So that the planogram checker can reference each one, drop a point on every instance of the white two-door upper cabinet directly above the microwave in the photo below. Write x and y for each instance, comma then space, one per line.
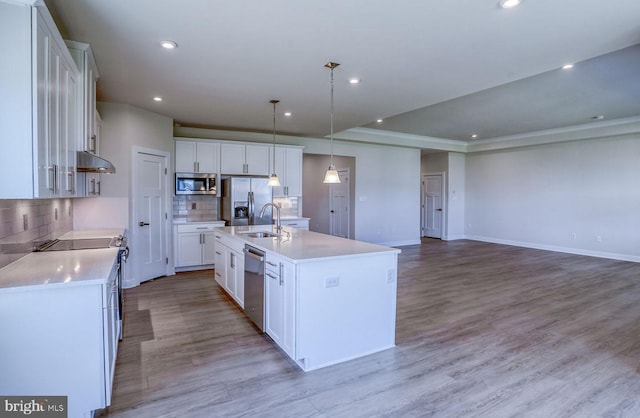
197, 156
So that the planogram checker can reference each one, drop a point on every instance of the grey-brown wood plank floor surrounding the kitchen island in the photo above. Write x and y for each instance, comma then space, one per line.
483, 330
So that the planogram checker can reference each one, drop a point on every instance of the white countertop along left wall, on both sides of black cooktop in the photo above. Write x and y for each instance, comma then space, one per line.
62, 268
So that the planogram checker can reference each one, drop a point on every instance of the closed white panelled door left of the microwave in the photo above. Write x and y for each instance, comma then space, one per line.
150, 247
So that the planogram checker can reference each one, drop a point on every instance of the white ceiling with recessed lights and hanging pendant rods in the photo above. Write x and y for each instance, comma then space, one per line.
444, 68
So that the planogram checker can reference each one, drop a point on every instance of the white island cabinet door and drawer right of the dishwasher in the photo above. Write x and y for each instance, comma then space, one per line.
279, 299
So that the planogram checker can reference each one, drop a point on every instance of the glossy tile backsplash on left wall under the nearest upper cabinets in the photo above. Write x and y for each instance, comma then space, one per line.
26, 223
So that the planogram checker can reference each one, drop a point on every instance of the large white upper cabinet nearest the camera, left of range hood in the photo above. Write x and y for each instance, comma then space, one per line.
38, 106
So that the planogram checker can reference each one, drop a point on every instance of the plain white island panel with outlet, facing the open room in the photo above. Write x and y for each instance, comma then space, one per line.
346, 308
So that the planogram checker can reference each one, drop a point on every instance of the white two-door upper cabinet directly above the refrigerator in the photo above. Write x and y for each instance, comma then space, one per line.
248, 159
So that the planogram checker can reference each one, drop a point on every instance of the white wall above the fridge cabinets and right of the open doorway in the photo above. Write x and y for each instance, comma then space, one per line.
387, 179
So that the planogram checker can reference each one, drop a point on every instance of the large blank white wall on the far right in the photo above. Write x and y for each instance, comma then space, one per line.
540, 196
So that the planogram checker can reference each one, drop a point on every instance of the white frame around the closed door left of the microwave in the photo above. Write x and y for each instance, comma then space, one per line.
133, 226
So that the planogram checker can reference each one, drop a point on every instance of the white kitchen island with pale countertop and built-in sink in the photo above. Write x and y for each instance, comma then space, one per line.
327, 299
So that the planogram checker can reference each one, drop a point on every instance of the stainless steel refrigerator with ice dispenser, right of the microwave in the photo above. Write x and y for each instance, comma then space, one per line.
242, 200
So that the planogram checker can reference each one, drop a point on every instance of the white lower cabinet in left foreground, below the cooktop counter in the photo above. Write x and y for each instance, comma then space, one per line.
61, 340
